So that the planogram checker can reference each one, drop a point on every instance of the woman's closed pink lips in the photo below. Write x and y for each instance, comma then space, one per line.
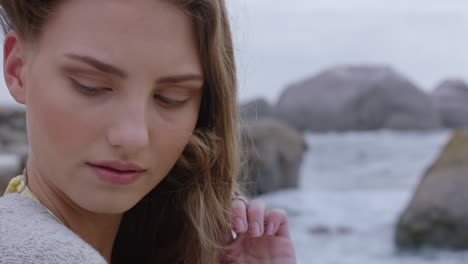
116, 177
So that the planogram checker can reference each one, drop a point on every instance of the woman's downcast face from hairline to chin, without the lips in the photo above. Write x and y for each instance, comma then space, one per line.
111, 80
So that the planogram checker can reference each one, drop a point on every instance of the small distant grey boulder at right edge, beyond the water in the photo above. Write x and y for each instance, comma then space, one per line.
451, 100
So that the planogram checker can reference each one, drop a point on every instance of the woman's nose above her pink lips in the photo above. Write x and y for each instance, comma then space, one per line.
129, 132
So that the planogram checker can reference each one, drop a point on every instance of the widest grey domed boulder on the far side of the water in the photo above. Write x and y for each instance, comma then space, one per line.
357, 98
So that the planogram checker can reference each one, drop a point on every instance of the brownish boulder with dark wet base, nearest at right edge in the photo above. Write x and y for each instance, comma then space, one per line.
437, 215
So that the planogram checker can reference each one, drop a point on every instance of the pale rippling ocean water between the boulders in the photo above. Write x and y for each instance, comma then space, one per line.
353, 188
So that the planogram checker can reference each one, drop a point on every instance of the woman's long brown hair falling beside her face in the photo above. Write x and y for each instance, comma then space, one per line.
184, 219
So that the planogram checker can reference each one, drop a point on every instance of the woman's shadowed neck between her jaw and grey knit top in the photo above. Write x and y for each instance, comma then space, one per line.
98, 230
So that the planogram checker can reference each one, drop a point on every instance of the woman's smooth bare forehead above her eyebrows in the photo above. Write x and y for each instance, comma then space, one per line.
137, 33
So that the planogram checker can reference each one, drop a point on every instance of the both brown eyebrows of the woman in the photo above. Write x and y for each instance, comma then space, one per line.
108, 68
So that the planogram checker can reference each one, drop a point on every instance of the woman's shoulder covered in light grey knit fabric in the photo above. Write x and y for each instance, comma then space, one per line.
29, 234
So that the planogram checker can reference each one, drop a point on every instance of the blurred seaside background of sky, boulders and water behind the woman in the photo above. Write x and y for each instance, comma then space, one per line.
347, 105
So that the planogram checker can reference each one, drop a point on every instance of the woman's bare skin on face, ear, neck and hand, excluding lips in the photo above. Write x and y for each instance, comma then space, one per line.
144, 112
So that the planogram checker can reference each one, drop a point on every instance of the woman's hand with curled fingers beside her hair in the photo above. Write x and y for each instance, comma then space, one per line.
262, 237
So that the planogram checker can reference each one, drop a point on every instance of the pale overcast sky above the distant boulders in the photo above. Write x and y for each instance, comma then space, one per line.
281, 42
